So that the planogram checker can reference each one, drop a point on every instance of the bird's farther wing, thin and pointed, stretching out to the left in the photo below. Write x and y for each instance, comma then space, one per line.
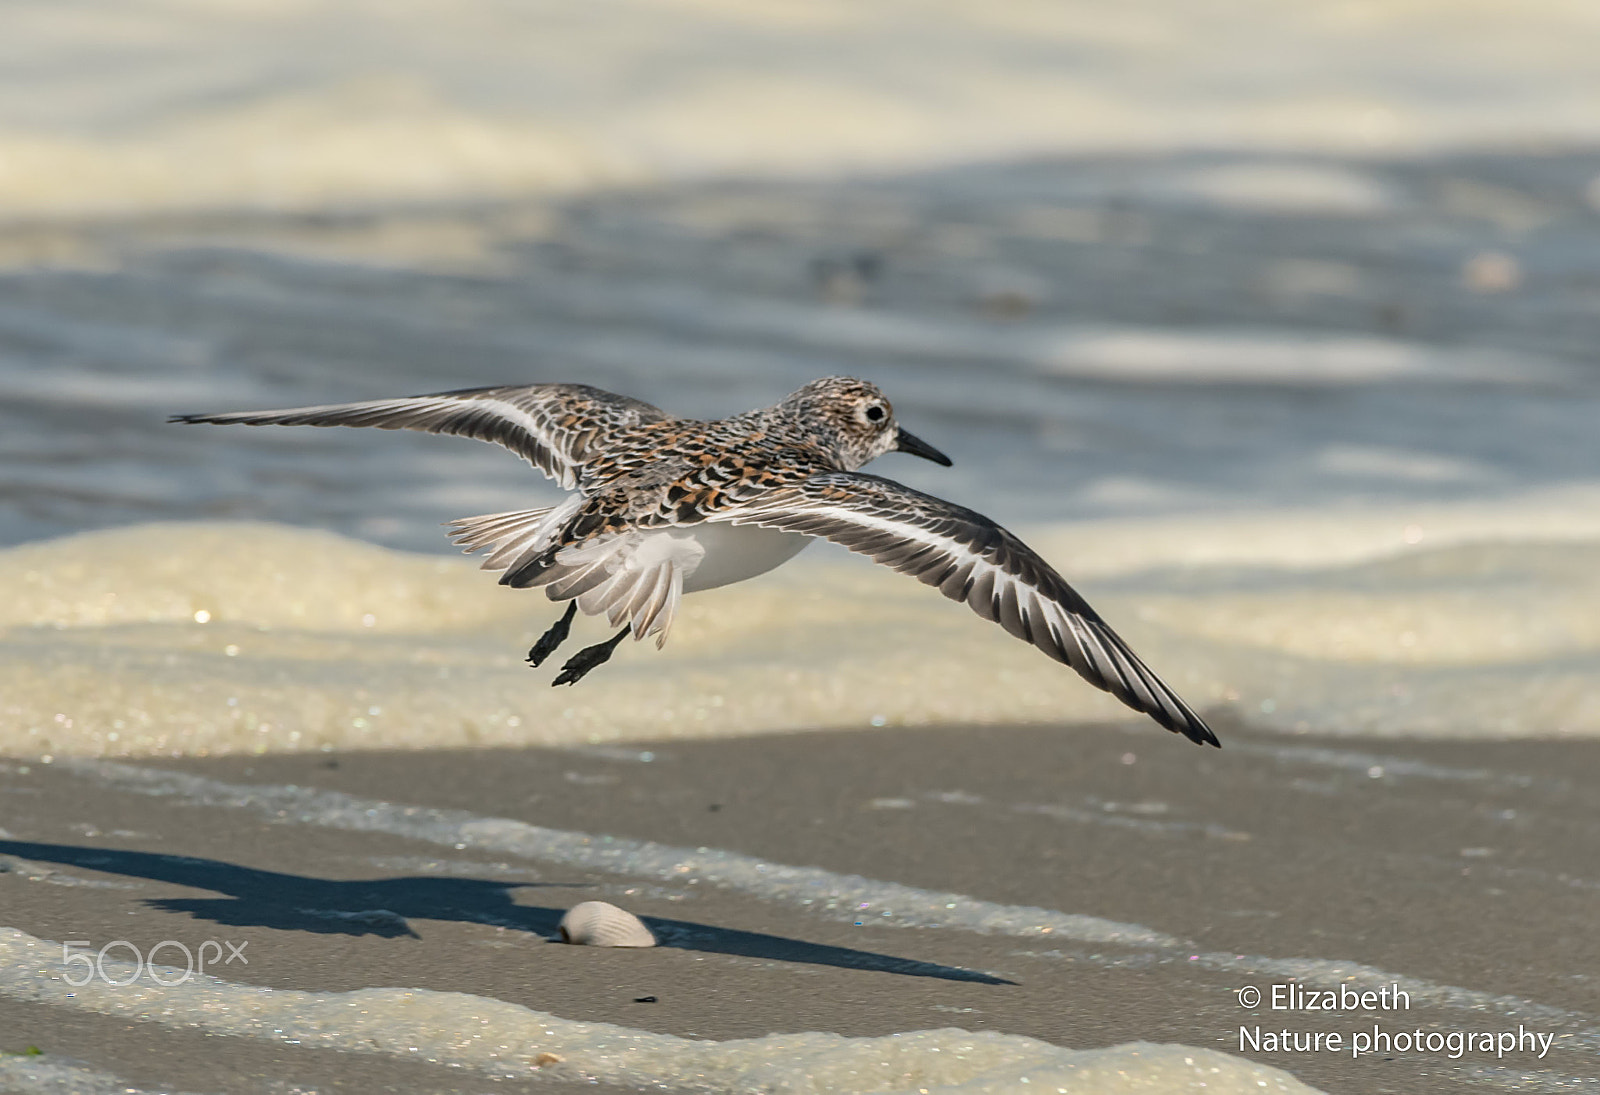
553, 427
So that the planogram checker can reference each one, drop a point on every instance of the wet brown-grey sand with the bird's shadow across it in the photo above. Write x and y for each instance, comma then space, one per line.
1466, 865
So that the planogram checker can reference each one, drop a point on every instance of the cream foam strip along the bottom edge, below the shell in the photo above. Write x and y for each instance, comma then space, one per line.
508, 1040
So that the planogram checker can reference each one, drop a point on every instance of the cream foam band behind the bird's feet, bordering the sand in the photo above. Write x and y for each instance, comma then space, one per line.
1466, 620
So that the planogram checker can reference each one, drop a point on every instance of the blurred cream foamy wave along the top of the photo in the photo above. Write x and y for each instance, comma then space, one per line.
116, 108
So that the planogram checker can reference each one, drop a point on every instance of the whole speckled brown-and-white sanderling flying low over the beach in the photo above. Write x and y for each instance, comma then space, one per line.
665, 507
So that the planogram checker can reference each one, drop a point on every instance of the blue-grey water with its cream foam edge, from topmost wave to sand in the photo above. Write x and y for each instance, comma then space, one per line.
1329, 467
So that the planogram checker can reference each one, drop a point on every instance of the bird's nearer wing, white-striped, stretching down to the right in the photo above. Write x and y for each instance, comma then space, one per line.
974, 560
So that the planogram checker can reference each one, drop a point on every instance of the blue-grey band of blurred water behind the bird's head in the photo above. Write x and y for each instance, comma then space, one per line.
1081, 342
